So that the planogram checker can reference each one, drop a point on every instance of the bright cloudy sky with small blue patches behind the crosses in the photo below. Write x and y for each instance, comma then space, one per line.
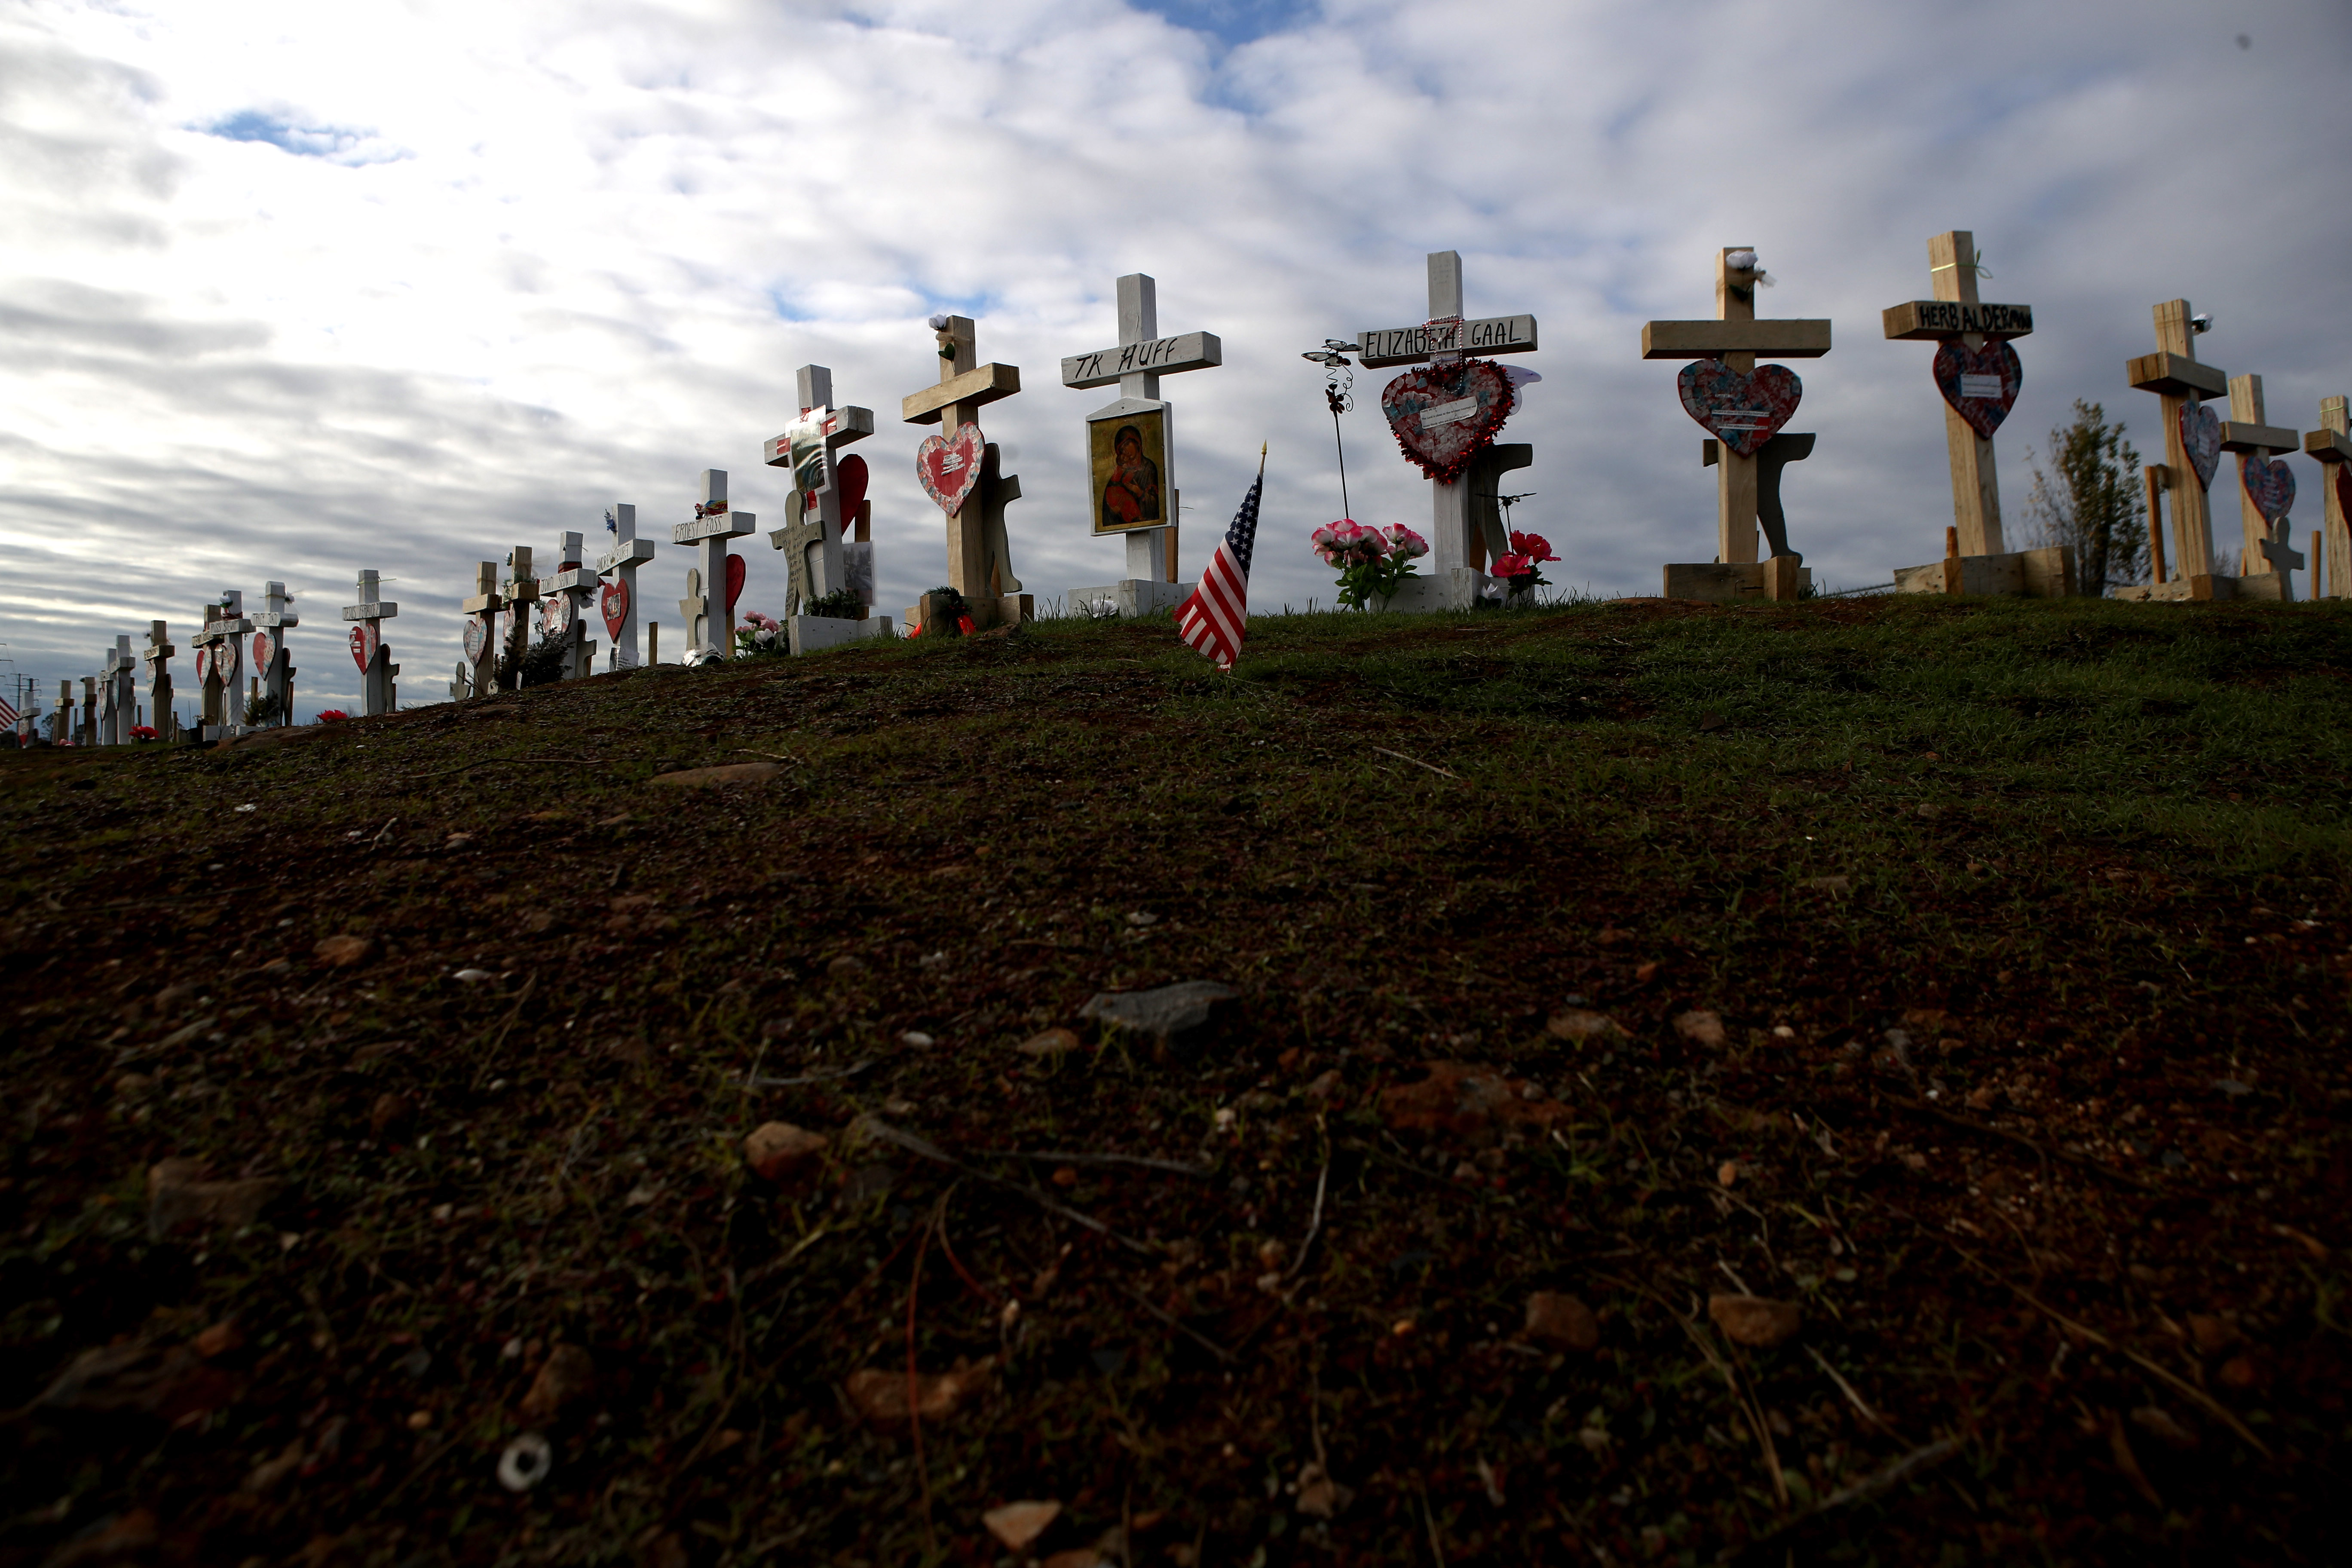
295, 290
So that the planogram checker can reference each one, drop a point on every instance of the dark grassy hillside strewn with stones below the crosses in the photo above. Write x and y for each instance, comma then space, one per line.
1965, 981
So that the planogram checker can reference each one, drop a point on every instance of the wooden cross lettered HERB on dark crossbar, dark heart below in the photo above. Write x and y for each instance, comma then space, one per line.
1977, 373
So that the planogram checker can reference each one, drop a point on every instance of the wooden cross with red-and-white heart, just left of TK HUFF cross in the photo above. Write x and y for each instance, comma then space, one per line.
951, 469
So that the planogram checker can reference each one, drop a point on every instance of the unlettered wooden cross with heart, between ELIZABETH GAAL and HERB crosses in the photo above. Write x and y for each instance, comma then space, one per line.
1728, 394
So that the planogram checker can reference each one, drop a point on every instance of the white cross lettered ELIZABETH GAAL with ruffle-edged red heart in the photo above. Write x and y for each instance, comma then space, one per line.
1448, 415
